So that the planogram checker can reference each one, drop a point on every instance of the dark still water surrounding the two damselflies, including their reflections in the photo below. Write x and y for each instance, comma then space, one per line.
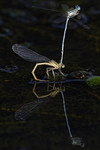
32, 115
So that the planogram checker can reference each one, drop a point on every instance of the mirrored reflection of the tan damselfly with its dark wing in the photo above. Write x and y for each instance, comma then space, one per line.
24, 112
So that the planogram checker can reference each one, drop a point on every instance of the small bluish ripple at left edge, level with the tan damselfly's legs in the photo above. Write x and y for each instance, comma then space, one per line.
9, 69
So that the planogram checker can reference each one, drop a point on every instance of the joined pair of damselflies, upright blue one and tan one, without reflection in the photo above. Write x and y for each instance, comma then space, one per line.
32, 56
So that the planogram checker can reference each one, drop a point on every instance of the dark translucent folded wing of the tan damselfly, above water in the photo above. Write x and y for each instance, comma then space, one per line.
28, 54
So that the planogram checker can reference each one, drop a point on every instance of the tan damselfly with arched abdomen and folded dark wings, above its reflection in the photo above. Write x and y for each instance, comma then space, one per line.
32, 56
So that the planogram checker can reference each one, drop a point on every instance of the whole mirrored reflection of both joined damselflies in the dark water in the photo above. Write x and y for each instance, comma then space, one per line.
26, 110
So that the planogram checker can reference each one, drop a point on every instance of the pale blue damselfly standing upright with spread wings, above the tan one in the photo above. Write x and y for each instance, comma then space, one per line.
66, 15
